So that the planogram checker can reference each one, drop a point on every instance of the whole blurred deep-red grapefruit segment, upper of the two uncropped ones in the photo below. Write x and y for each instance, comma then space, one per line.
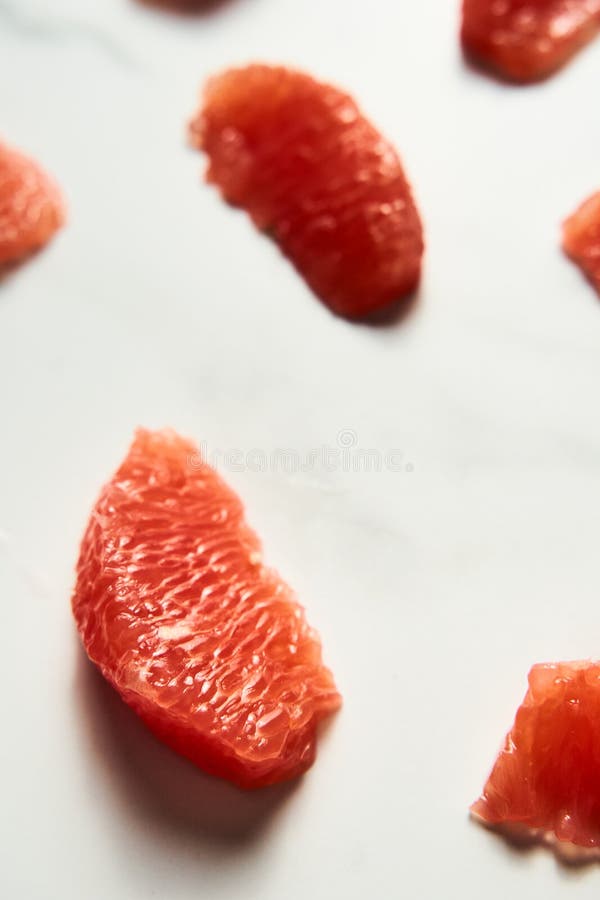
300, 157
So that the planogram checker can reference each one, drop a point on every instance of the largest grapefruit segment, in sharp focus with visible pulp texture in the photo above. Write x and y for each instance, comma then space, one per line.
174, 606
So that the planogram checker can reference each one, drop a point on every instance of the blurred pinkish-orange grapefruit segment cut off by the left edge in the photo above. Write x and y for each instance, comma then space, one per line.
31, 208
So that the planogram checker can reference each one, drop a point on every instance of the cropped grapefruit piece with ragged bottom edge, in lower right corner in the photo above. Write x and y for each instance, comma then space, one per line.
545, 784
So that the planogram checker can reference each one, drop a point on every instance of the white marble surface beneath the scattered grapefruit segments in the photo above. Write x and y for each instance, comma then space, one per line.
434, 590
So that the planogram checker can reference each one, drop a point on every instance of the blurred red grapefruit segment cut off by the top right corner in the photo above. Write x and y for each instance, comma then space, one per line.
527, 40
